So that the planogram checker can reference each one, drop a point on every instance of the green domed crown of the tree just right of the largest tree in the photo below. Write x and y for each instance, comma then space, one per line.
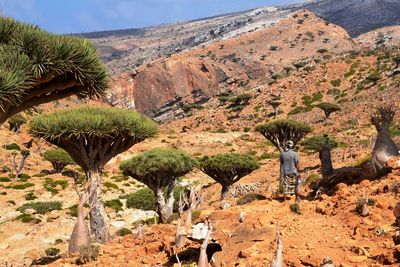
158, 168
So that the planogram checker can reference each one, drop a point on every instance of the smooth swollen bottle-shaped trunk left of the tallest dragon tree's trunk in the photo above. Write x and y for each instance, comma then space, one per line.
80, 235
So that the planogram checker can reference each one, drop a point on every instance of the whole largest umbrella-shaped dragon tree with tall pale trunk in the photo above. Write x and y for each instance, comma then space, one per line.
92, 136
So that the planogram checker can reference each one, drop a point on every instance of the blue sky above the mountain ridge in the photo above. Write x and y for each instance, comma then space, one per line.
76, 16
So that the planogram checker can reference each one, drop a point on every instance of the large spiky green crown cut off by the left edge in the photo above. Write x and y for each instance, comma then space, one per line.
38, 67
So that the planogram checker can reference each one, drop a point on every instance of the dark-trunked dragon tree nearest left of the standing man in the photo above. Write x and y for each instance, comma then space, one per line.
227, 169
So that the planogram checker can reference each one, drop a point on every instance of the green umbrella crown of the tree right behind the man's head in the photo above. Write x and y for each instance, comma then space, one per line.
279, 132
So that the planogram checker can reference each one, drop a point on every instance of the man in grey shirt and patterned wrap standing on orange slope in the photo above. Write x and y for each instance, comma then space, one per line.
290, 180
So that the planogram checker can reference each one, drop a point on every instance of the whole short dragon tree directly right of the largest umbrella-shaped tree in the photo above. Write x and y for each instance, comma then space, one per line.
159, 169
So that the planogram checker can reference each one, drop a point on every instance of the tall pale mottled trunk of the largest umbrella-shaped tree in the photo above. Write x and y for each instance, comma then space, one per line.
97, 215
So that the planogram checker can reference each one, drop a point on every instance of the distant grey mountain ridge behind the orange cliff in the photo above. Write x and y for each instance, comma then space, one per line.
125, 49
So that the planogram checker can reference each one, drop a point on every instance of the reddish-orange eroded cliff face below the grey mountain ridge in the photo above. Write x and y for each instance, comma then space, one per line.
162, 87
